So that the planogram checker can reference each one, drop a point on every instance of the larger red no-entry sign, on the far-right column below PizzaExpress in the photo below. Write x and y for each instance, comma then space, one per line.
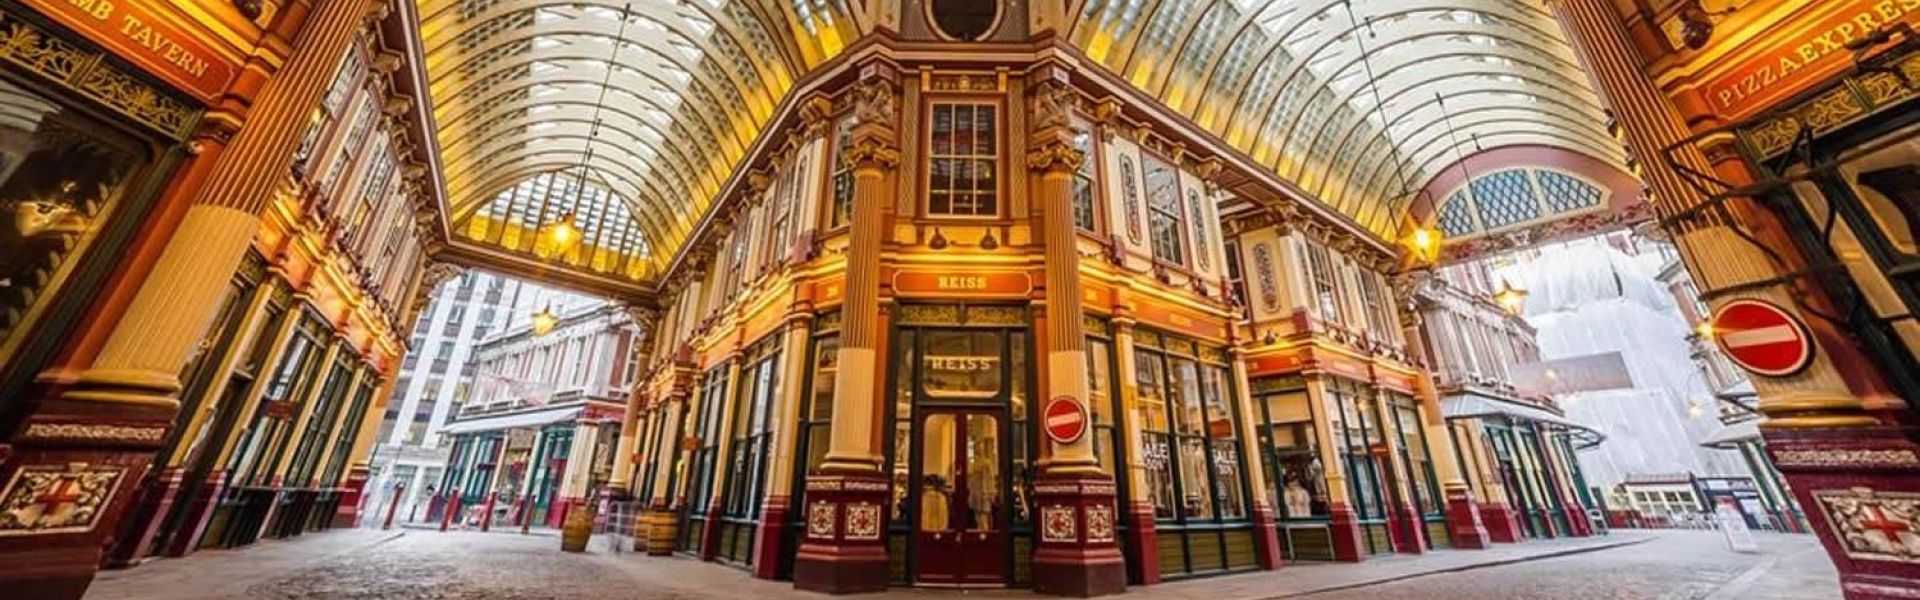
1762, 337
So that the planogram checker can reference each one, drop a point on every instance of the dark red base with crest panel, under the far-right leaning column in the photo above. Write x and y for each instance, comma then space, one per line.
1861, 491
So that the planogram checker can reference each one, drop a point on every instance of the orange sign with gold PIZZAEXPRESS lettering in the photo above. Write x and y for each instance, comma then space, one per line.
1812, 53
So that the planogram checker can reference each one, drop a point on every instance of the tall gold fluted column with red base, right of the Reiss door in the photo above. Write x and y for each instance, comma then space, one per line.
1078, 551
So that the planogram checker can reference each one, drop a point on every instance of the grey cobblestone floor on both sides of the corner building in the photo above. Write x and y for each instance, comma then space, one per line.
456, 566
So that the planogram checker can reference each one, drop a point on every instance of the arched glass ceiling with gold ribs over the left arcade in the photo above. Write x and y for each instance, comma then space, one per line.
656, 99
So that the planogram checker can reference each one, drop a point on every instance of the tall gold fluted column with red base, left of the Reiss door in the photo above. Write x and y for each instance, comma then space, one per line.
844, 549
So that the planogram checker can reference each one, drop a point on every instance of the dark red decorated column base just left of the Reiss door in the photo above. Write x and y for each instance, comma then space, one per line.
846, 549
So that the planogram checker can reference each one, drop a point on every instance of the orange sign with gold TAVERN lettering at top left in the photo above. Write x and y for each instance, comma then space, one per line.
137, 32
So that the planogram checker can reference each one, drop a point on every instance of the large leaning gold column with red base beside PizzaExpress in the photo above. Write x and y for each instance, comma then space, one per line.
1854, 476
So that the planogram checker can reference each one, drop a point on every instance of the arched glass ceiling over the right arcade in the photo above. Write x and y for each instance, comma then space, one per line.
1355, 101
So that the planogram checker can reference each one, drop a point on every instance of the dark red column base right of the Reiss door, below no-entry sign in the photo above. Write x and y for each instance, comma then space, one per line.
1078, 545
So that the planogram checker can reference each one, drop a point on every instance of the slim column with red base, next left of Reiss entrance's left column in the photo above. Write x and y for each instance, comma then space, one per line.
775, 512
